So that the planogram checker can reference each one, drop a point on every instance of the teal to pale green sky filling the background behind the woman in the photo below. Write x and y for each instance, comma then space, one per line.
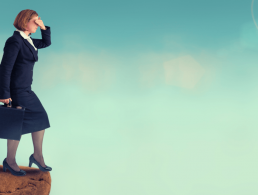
146, 97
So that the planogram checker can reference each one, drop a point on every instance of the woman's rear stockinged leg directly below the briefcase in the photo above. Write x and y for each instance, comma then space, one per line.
12, 146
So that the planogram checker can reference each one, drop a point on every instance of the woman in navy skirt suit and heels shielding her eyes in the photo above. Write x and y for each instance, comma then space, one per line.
16, 76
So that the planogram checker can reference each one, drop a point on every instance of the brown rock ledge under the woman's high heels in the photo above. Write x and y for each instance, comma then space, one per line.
35, 182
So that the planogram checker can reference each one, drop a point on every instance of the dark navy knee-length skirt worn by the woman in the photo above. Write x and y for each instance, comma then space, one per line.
35, 116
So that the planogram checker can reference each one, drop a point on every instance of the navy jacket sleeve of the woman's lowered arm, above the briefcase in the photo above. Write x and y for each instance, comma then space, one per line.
11, 50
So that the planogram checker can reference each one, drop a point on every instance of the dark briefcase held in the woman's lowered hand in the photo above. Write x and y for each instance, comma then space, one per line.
11, 119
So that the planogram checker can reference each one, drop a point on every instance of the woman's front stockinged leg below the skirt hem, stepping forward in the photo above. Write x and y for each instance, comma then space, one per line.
37, 138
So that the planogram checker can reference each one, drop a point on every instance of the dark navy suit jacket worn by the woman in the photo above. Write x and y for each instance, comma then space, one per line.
16, 69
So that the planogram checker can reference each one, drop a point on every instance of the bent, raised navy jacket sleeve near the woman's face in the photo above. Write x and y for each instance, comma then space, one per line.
45, 41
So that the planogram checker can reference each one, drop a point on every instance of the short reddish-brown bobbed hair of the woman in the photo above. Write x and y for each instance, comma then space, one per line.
23, 18
